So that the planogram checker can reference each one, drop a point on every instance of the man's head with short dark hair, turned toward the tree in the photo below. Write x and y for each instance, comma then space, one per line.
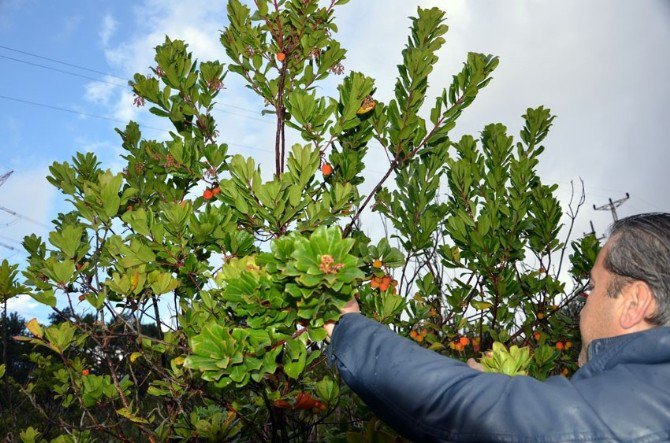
630, 281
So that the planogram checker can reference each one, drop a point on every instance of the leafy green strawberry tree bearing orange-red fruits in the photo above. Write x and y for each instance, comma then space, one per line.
253, 268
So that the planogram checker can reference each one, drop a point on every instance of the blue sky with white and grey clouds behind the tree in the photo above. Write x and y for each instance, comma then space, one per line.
601, 66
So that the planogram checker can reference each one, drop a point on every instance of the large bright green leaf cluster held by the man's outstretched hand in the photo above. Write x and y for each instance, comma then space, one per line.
302, 281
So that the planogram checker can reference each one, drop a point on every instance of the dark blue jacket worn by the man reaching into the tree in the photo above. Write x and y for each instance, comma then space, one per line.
621, 394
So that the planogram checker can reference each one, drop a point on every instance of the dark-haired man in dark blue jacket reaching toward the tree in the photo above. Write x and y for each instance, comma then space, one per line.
620, 393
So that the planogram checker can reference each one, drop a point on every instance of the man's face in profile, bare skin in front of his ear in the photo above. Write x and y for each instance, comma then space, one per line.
598, 317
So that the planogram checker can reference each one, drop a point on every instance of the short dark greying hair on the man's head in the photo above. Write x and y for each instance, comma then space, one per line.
639, 249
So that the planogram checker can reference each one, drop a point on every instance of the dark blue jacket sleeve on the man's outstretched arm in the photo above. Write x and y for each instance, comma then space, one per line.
428, 397
